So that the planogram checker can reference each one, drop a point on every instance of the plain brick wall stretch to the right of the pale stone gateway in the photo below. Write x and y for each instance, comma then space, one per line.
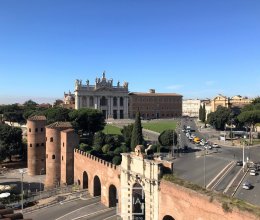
182, 203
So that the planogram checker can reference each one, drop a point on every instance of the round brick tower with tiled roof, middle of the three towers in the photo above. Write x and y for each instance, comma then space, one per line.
53, 153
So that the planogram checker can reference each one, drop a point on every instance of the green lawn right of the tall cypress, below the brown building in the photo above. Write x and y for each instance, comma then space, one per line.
159, 126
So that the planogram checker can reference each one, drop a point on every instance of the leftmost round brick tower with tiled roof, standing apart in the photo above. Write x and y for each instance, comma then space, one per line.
36, 145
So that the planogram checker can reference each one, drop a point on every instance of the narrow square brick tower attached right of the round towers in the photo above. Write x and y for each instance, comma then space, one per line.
69, 140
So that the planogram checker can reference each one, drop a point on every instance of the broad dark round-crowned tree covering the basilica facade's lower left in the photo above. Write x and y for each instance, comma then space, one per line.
87, 120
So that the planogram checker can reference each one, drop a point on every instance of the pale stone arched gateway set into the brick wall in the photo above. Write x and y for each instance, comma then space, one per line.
140, 185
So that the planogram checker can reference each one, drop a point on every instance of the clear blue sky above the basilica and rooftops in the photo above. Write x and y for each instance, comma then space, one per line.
197, 48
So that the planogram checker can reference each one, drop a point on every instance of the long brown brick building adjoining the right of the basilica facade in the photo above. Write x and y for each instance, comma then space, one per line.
153, 105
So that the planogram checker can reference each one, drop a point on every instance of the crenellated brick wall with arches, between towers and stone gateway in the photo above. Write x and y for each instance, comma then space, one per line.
108, 174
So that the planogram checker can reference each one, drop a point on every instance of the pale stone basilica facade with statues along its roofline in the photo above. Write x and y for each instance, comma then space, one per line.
104, 96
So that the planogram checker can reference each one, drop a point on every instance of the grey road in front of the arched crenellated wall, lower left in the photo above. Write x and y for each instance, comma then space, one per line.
73, 210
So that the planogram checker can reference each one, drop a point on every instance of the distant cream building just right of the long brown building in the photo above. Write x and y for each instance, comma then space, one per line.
190, 107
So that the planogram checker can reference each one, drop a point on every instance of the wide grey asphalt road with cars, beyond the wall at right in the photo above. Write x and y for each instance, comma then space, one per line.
190, 166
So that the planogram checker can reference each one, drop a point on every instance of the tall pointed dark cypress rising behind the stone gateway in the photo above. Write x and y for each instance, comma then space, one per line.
137, 135
